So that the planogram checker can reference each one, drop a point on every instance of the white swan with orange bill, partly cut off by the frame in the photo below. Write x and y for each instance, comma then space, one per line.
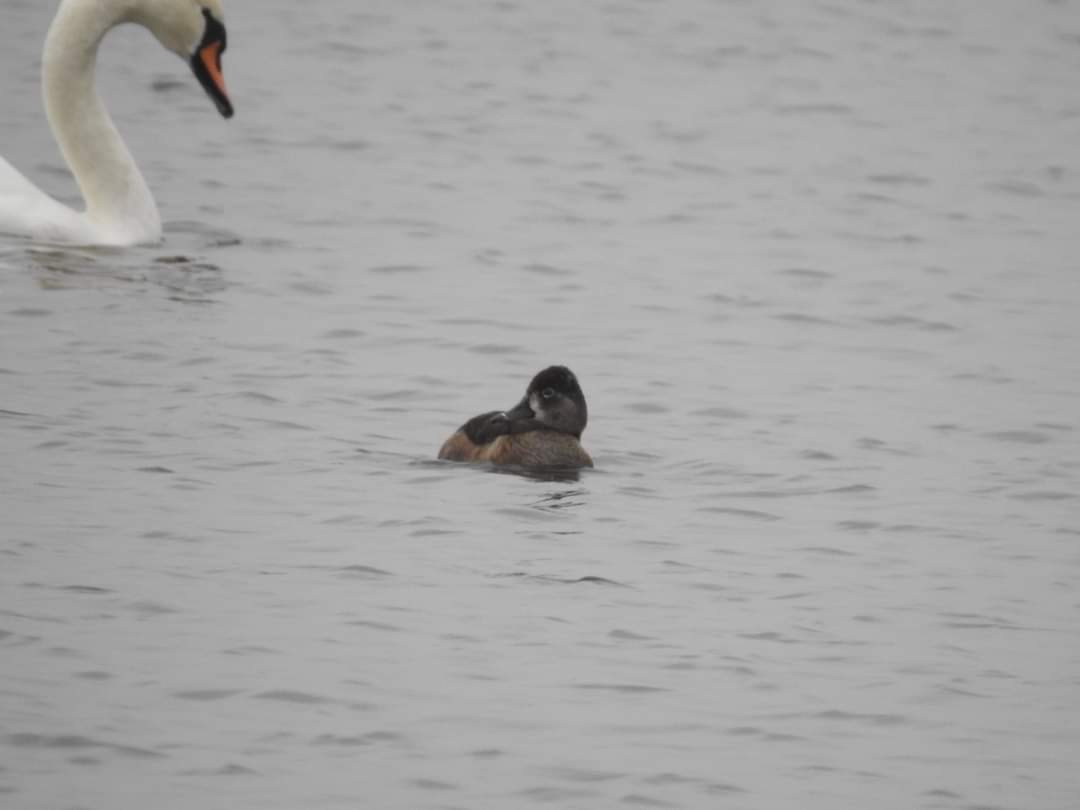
120, 209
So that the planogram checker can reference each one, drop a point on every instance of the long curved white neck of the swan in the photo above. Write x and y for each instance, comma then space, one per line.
118, 199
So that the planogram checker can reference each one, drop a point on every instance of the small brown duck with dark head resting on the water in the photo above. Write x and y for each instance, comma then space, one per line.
544, 430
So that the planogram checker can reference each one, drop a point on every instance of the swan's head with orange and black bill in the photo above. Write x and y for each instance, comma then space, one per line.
195, 30
